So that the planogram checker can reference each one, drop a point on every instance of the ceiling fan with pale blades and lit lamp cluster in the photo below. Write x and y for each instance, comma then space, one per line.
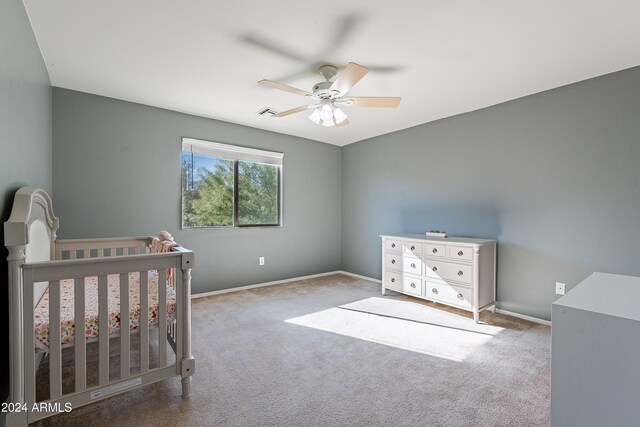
329, 96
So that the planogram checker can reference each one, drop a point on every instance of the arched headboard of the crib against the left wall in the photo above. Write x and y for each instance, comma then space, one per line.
30, 232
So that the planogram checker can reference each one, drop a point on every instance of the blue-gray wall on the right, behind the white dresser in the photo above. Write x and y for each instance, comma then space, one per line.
555, 177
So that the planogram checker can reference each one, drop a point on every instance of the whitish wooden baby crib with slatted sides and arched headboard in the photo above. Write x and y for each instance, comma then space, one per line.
40, 266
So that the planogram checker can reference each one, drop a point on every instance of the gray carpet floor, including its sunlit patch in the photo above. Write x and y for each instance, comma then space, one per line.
332, 351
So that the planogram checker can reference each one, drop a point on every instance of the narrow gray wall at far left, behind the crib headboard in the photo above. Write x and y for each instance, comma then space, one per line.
25, 134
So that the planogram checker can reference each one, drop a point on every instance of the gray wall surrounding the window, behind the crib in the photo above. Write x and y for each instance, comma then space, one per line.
117, 173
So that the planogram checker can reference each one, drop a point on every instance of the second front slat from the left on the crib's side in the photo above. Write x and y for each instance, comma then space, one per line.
55, 359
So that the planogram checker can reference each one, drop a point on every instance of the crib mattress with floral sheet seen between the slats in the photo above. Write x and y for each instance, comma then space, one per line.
67, 327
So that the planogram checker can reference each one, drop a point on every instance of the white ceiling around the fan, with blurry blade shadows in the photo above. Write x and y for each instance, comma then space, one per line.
443, 58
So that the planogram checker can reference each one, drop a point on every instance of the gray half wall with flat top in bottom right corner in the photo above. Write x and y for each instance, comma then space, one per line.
595, 344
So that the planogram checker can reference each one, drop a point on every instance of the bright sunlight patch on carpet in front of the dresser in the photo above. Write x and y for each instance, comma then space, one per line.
403, 324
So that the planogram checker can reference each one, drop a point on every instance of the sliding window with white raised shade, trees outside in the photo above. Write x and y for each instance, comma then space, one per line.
229, 186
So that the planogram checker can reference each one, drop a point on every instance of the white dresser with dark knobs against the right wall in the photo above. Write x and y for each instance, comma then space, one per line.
456, 271
